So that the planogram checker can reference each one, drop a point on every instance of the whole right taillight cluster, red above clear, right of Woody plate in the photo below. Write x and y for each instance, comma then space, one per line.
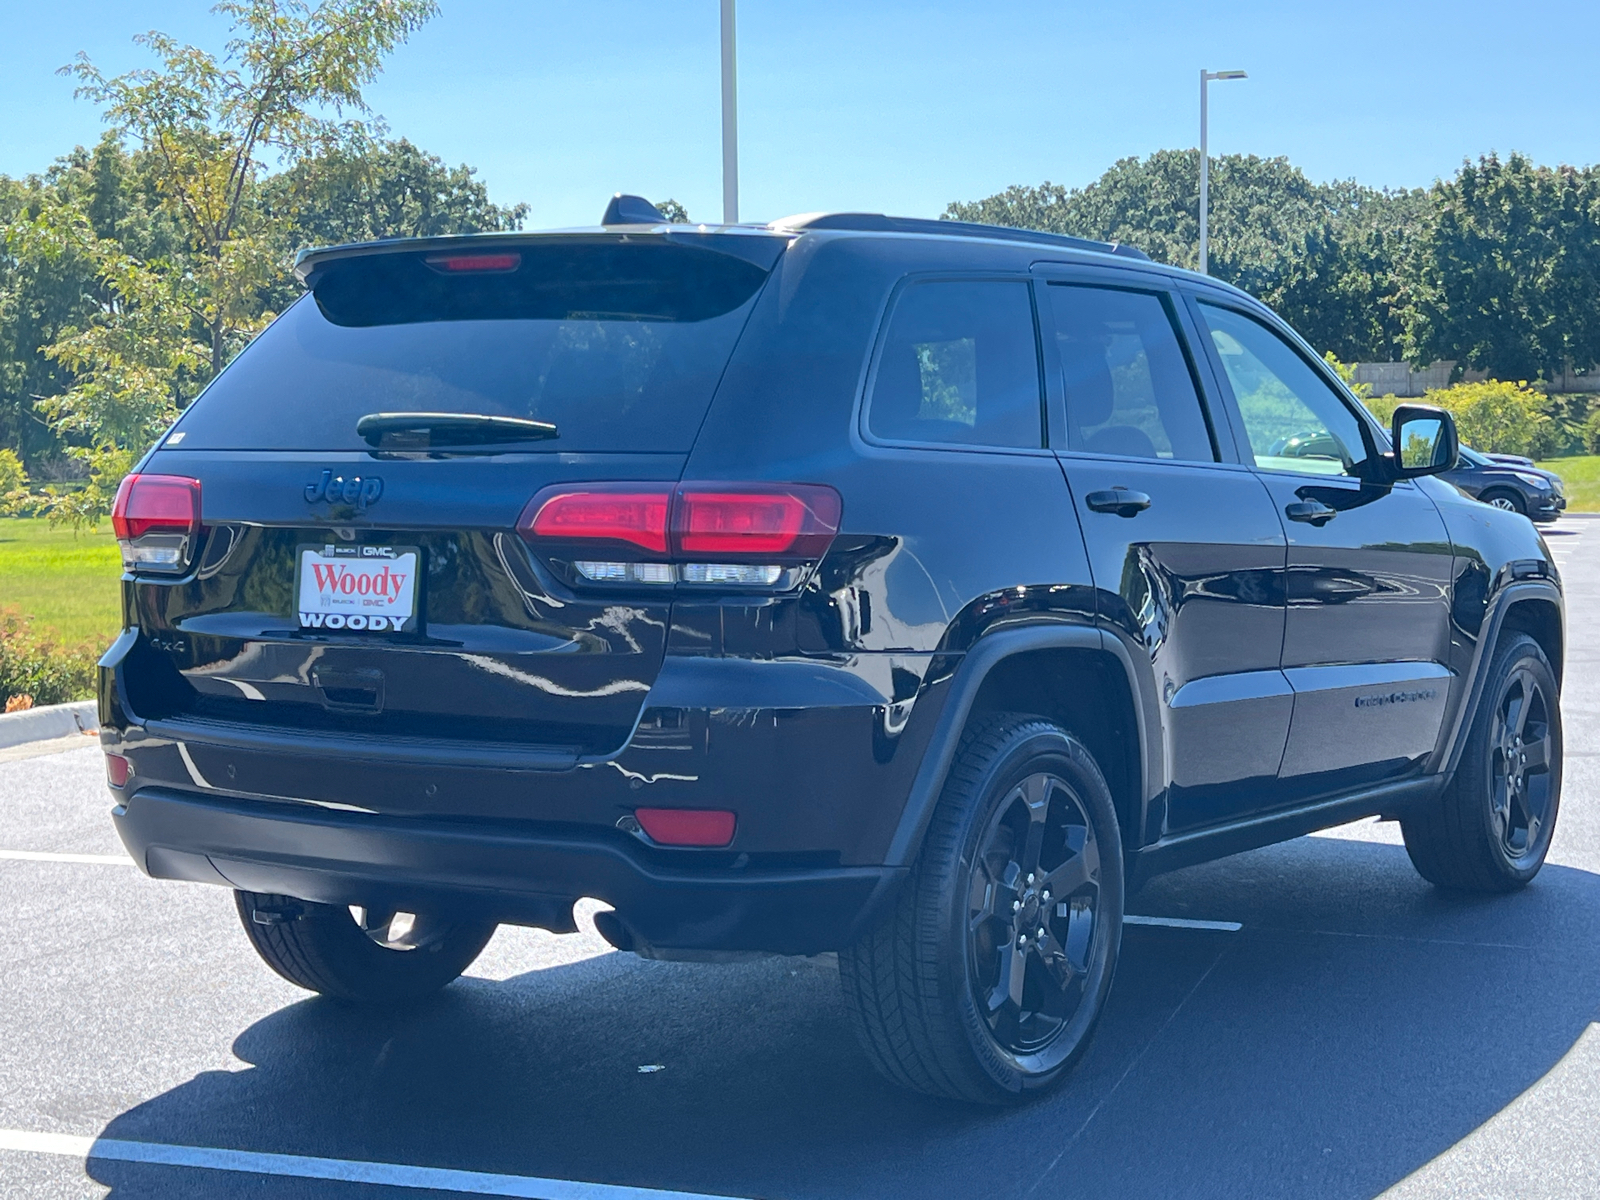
730, 535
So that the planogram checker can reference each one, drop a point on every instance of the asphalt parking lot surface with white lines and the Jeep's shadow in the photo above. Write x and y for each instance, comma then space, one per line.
1356, 1034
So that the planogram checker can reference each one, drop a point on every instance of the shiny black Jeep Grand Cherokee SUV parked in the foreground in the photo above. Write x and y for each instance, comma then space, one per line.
897, 588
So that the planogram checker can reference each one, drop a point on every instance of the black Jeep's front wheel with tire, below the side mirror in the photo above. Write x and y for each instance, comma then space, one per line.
1492, 828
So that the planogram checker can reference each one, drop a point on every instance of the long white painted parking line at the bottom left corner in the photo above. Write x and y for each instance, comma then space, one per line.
340, 1170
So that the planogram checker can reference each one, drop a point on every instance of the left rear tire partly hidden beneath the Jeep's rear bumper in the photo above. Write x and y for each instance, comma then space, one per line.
324, 950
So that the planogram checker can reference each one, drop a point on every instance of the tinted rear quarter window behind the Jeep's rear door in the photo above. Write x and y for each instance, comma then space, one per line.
961, 366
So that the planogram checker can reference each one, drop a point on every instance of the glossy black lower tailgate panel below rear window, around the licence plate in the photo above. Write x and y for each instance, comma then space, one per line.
489, 655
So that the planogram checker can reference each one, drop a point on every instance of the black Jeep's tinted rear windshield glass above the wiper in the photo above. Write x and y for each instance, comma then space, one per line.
618, 346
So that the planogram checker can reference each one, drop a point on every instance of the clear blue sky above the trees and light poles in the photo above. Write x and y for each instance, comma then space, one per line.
895, 106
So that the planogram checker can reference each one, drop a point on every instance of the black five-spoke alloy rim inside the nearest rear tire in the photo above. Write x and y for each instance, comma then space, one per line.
1033, 918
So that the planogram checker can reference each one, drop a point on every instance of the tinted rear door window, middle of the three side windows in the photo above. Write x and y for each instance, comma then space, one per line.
1127, 382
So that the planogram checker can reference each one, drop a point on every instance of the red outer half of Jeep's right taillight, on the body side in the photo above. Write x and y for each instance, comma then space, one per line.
790, 521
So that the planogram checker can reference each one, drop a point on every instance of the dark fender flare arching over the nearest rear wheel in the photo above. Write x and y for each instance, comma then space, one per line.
980, 660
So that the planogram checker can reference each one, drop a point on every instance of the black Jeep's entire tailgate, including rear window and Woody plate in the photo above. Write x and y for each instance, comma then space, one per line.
382, 588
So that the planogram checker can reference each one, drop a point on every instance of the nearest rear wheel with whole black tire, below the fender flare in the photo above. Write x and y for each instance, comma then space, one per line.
932, 990
